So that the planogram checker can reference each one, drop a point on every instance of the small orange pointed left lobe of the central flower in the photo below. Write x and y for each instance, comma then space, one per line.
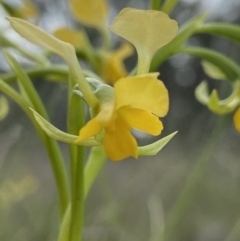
90, 129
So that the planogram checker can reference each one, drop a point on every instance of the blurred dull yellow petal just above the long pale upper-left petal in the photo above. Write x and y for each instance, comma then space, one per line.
70, 36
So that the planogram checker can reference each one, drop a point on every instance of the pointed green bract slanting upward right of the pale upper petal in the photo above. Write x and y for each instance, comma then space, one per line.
184, 33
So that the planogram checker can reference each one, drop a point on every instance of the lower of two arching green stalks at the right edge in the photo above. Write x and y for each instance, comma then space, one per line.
225, 64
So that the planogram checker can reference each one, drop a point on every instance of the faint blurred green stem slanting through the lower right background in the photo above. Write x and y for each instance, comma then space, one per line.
192, 184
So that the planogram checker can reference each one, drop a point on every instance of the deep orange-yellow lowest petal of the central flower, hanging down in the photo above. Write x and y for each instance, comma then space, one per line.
119, 142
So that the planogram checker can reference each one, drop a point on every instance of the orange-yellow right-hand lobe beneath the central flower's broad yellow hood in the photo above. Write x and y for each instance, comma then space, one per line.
141, 120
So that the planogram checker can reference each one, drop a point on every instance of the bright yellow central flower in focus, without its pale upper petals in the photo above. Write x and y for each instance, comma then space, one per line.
138, 102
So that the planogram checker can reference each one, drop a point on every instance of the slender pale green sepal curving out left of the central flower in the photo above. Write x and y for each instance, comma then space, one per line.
59, 135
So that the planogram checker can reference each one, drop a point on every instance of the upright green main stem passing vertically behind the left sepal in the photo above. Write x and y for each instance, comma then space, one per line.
76, 120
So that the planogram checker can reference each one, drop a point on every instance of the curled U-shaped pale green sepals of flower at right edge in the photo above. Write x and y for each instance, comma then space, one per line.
212, 101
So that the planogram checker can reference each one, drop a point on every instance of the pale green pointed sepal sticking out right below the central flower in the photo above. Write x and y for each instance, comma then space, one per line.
154, 148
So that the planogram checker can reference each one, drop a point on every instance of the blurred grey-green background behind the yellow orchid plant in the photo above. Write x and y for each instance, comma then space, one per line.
133, 199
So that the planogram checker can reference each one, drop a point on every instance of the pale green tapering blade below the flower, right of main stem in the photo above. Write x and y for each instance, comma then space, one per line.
96, 160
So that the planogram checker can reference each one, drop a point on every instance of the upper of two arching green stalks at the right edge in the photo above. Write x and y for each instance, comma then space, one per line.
229, 31
